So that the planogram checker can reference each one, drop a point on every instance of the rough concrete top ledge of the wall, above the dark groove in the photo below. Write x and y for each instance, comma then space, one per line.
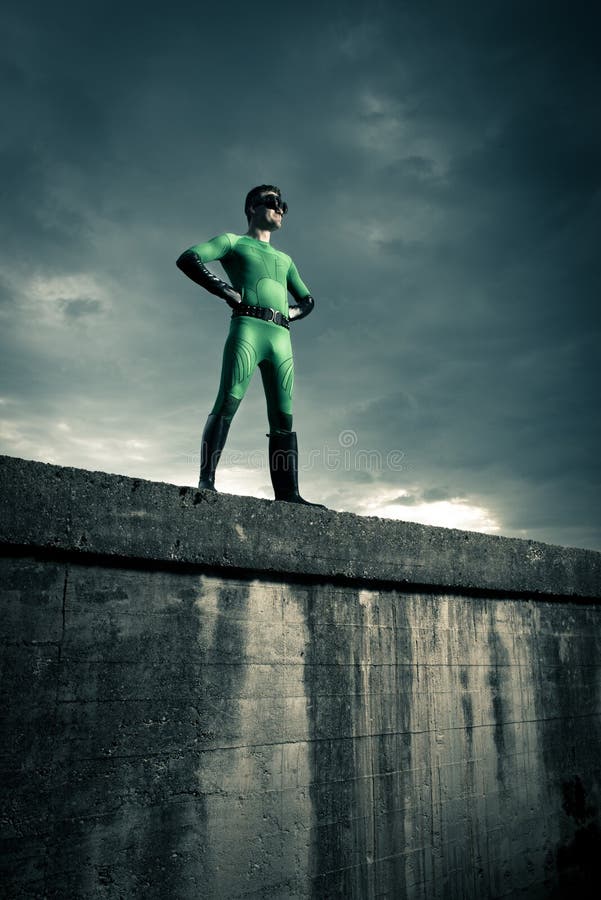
78, 511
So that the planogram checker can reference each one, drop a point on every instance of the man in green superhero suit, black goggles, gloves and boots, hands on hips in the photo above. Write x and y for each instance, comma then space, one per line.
261, 278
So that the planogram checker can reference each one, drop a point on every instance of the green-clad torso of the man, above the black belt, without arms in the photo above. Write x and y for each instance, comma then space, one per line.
258, 272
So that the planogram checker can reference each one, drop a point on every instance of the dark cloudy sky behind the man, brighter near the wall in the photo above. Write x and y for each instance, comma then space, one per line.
441, 161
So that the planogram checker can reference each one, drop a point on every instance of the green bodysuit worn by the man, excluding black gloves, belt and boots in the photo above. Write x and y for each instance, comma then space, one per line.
262, 276
